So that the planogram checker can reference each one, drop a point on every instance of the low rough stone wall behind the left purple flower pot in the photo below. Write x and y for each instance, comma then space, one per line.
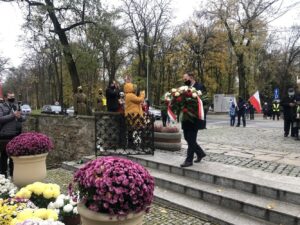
73, 137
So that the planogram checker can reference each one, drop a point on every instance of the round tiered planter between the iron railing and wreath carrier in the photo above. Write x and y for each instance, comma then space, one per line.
167, 141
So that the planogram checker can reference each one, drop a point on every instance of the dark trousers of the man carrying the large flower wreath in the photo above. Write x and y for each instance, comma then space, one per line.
191, 137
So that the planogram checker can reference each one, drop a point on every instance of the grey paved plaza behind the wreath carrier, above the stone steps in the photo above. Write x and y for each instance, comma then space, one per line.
260, 145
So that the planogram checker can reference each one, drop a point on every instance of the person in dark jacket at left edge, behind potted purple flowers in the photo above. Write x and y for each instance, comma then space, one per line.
11, 126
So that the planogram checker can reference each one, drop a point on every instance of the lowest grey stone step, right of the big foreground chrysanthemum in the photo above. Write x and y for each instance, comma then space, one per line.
211, 212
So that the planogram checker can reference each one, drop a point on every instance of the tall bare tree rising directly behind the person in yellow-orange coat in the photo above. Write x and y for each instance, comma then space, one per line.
148, 21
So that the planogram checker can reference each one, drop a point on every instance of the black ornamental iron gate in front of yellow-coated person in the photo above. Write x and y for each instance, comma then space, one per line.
116, 134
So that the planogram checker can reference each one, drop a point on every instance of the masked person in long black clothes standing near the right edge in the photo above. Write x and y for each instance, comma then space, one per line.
289, 113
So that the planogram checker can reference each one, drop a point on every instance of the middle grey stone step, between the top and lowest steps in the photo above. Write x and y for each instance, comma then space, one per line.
257, 206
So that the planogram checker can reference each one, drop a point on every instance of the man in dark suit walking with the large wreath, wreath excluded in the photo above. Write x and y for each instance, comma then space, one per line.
190, 129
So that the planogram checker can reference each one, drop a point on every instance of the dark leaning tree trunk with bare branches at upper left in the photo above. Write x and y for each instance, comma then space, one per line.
62, 17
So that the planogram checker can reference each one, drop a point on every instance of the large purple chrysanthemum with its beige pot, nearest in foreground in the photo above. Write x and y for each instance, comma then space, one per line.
113, 190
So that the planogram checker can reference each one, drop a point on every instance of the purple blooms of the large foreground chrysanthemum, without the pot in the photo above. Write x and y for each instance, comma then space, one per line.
115, 185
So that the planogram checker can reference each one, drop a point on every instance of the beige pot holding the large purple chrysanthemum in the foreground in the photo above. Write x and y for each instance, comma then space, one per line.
89, 217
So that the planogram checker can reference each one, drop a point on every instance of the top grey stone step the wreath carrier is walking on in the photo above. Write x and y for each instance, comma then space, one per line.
275, 186
